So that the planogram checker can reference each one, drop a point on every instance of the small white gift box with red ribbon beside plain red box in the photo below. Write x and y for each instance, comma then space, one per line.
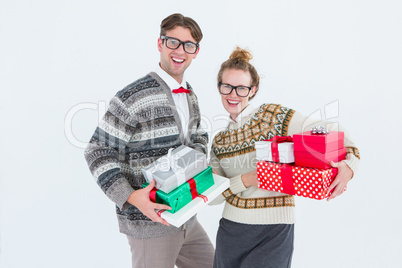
277, 149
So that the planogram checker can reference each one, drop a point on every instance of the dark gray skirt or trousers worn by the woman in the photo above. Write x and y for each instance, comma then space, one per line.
249, 245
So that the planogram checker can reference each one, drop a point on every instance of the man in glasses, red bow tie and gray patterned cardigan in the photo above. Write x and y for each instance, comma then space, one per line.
143, 121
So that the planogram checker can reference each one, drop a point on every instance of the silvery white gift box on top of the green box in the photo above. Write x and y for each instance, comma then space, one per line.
175, 168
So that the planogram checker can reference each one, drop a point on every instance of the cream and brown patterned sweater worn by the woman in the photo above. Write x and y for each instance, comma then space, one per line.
233, 154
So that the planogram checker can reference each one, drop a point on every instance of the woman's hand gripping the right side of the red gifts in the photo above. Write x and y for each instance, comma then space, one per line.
344, 175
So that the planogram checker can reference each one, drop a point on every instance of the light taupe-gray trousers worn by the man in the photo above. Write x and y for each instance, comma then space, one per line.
186, 249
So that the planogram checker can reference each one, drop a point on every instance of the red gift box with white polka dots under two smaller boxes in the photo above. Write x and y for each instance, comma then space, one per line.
295, 180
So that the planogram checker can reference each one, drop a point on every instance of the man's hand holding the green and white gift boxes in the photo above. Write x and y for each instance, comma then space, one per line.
140, 199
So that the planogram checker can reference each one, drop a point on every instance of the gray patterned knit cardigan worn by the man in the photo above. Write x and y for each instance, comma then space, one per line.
141, 124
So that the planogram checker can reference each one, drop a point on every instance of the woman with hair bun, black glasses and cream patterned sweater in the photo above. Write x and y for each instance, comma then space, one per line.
257, 226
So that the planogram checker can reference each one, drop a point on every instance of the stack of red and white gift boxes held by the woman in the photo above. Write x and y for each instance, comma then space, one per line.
300, 165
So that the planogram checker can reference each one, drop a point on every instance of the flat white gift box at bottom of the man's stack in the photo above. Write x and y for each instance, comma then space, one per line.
192, 208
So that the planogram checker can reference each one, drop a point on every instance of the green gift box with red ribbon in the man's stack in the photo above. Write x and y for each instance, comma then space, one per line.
186, 192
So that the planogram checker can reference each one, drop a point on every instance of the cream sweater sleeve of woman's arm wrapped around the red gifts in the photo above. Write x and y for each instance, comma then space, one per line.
300, 123
